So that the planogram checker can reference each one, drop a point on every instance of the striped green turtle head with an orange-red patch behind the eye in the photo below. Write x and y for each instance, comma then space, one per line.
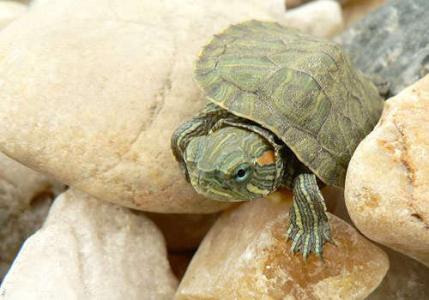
232, 164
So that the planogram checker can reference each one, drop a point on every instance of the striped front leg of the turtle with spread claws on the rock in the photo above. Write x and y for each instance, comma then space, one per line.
309, 228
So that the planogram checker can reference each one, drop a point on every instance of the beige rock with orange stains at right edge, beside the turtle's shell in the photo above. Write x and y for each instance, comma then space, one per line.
387, 184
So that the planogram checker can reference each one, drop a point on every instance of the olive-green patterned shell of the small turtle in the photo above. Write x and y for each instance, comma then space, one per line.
301, 88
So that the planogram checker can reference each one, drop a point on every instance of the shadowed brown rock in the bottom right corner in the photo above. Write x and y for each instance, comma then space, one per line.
406, 279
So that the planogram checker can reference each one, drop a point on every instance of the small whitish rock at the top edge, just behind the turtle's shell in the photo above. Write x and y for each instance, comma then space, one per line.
321, 18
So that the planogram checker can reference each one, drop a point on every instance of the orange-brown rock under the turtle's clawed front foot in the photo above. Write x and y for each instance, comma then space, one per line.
245, 256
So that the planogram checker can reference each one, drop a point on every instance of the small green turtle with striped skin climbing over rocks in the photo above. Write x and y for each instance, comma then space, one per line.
284, 110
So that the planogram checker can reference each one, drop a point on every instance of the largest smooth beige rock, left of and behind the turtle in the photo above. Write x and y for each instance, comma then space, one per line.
93, 89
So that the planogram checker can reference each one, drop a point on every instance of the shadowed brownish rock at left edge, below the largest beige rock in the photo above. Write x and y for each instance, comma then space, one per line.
25, 198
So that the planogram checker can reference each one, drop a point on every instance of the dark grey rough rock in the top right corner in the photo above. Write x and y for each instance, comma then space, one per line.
392, 40
